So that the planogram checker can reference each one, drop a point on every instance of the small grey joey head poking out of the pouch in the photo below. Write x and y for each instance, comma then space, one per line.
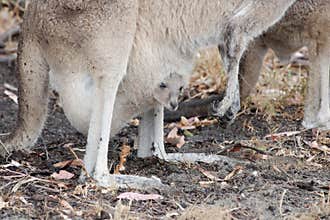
167, 92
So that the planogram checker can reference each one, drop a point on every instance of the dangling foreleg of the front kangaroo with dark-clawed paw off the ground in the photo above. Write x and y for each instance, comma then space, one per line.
243, 27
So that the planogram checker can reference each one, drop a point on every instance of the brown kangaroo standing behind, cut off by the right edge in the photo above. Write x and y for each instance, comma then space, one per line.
306, 23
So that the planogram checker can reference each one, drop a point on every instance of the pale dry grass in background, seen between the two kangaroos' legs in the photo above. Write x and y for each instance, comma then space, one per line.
278, 85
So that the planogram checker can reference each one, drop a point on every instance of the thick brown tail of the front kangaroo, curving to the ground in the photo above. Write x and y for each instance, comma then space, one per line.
33, 96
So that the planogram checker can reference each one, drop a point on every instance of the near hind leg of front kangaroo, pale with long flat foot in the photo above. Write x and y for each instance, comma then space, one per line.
107, 70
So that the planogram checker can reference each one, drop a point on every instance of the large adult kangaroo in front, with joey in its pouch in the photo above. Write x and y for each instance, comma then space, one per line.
97, 53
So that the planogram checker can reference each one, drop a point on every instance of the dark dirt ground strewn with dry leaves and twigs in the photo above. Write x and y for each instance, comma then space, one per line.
284, 176
